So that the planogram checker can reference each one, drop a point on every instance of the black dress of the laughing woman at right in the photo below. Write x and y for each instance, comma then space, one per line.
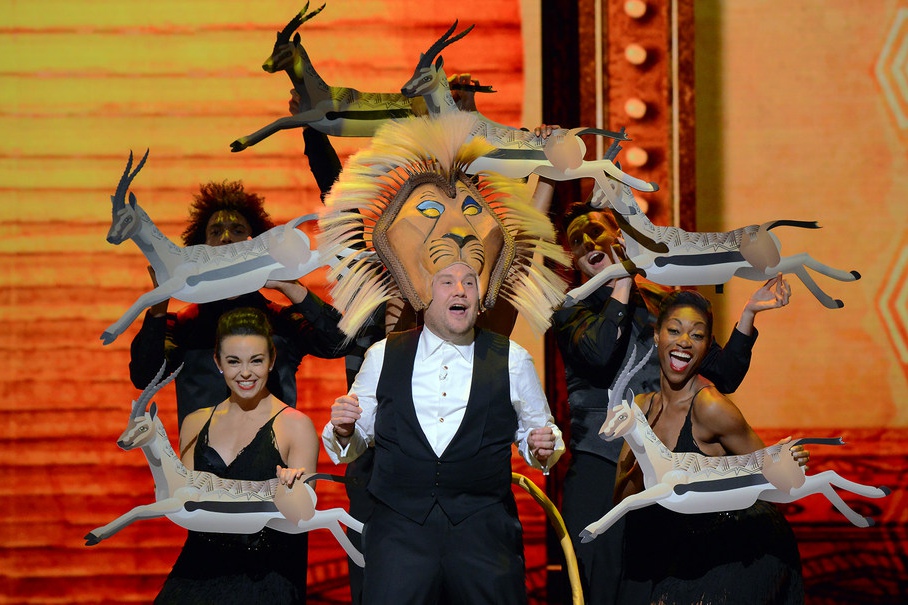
743, 557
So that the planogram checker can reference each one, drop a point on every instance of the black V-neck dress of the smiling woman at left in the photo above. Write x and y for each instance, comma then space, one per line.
265, 567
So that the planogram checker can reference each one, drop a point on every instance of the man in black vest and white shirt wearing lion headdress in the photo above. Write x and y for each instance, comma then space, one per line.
442, 404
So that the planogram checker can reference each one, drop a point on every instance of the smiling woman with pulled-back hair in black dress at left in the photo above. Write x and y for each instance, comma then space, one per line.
251, 435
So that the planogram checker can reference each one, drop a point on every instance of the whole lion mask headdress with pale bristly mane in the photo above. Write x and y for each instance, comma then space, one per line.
408, 209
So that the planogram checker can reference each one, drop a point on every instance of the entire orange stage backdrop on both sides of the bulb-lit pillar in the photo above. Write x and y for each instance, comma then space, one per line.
801, 114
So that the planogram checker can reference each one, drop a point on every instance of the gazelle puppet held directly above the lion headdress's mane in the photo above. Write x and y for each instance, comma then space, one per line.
518, 152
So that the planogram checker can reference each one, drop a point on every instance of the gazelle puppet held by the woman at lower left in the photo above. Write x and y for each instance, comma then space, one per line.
202, 501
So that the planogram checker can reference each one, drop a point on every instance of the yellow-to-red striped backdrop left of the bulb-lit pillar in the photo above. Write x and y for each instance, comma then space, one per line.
82, 83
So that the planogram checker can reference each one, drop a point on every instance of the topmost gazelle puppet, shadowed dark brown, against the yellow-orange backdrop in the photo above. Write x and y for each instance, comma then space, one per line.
333, 110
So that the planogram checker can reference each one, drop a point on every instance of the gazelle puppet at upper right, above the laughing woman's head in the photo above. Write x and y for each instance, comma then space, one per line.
673, 257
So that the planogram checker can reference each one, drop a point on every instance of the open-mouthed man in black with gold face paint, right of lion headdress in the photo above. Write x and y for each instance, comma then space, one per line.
594, 338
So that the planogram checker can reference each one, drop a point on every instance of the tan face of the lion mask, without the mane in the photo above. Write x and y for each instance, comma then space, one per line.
433, 223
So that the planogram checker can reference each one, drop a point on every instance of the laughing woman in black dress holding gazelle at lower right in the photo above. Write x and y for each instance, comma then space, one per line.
739, 557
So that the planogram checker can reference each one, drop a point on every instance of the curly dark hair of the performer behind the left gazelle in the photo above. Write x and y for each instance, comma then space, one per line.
226, 195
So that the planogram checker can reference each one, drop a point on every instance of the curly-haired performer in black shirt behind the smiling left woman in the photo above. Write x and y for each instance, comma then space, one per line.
224, 213
